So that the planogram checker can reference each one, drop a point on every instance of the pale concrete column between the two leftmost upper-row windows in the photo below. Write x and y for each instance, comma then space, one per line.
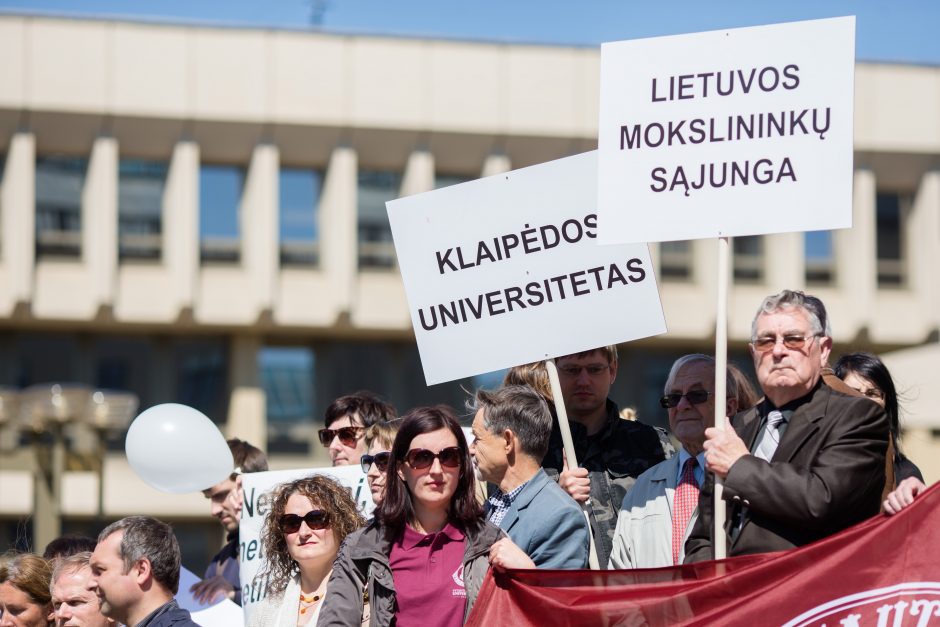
100, 219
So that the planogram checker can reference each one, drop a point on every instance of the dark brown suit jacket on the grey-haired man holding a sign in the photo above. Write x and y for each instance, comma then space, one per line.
826, 475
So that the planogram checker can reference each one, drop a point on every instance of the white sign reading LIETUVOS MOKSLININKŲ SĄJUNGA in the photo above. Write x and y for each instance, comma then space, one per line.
724, 133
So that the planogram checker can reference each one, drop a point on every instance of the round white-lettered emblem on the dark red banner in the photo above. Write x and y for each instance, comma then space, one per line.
902, 605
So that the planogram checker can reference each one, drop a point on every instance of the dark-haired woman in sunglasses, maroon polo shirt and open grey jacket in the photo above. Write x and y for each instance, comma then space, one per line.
423, 559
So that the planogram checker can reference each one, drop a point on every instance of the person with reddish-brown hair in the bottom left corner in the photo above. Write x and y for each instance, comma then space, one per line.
25, 600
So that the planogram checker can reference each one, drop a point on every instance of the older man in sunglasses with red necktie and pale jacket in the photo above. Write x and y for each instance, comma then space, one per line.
659, 510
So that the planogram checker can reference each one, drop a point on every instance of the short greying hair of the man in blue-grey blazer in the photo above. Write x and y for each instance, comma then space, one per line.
523, 411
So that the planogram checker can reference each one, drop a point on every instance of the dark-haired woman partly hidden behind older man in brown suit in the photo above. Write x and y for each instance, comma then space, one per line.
867, 374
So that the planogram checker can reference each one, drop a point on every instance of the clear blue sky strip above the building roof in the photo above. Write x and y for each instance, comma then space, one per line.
888, 30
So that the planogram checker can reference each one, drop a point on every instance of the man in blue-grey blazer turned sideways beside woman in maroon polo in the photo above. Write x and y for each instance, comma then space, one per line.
511, 429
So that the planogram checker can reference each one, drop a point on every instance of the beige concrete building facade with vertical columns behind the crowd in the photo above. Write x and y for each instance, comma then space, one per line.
146, 241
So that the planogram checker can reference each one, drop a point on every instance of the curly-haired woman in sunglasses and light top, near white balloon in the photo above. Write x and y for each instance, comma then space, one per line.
307, 523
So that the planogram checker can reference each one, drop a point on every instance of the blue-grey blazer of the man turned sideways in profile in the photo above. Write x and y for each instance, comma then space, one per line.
546, 523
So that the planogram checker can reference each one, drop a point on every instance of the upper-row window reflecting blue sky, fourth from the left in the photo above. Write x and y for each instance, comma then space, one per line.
299, 200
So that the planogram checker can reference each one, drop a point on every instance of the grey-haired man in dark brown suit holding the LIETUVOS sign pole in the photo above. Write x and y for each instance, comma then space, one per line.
805, 462
